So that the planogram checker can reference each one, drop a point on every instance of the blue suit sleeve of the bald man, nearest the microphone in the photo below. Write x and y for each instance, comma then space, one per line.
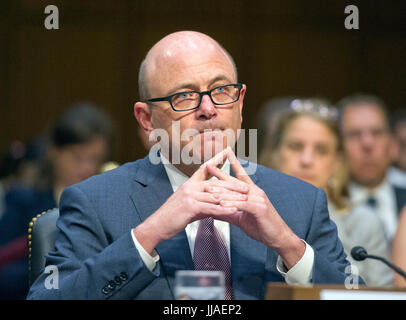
330, 261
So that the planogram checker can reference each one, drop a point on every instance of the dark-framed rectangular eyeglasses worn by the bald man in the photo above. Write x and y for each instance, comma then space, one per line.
190, 100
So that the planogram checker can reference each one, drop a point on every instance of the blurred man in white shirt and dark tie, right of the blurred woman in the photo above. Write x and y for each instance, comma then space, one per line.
370, 149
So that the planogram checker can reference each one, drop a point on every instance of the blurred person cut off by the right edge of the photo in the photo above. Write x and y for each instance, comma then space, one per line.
397, 173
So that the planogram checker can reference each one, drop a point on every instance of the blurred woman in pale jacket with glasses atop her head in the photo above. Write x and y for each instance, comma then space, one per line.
307, 144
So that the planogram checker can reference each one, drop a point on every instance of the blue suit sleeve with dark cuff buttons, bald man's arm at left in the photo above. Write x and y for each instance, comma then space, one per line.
88, 264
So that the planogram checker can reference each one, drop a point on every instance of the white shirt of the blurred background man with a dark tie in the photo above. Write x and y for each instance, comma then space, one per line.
386, 208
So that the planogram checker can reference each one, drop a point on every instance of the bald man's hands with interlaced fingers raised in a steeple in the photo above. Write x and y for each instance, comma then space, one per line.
236, 200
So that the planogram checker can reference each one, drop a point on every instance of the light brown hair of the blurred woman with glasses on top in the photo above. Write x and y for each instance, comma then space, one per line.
321, 111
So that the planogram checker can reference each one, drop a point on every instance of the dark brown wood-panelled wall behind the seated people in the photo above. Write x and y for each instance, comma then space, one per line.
281, 48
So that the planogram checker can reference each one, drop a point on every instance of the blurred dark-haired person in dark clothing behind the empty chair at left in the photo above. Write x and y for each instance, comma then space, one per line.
77, 145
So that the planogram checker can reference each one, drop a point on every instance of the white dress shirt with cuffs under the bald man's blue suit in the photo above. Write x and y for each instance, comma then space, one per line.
300, 273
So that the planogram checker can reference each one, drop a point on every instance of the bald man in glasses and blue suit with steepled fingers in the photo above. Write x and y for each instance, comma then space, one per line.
125, 233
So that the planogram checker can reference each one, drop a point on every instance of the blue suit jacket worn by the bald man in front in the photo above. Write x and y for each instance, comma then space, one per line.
95, 248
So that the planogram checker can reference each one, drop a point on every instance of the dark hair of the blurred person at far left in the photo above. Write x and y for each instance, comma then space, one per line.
78, 124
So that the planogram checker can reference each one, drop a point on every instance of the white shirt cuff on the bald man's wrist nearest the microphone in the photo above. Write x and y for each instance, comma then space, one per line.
301, 272
